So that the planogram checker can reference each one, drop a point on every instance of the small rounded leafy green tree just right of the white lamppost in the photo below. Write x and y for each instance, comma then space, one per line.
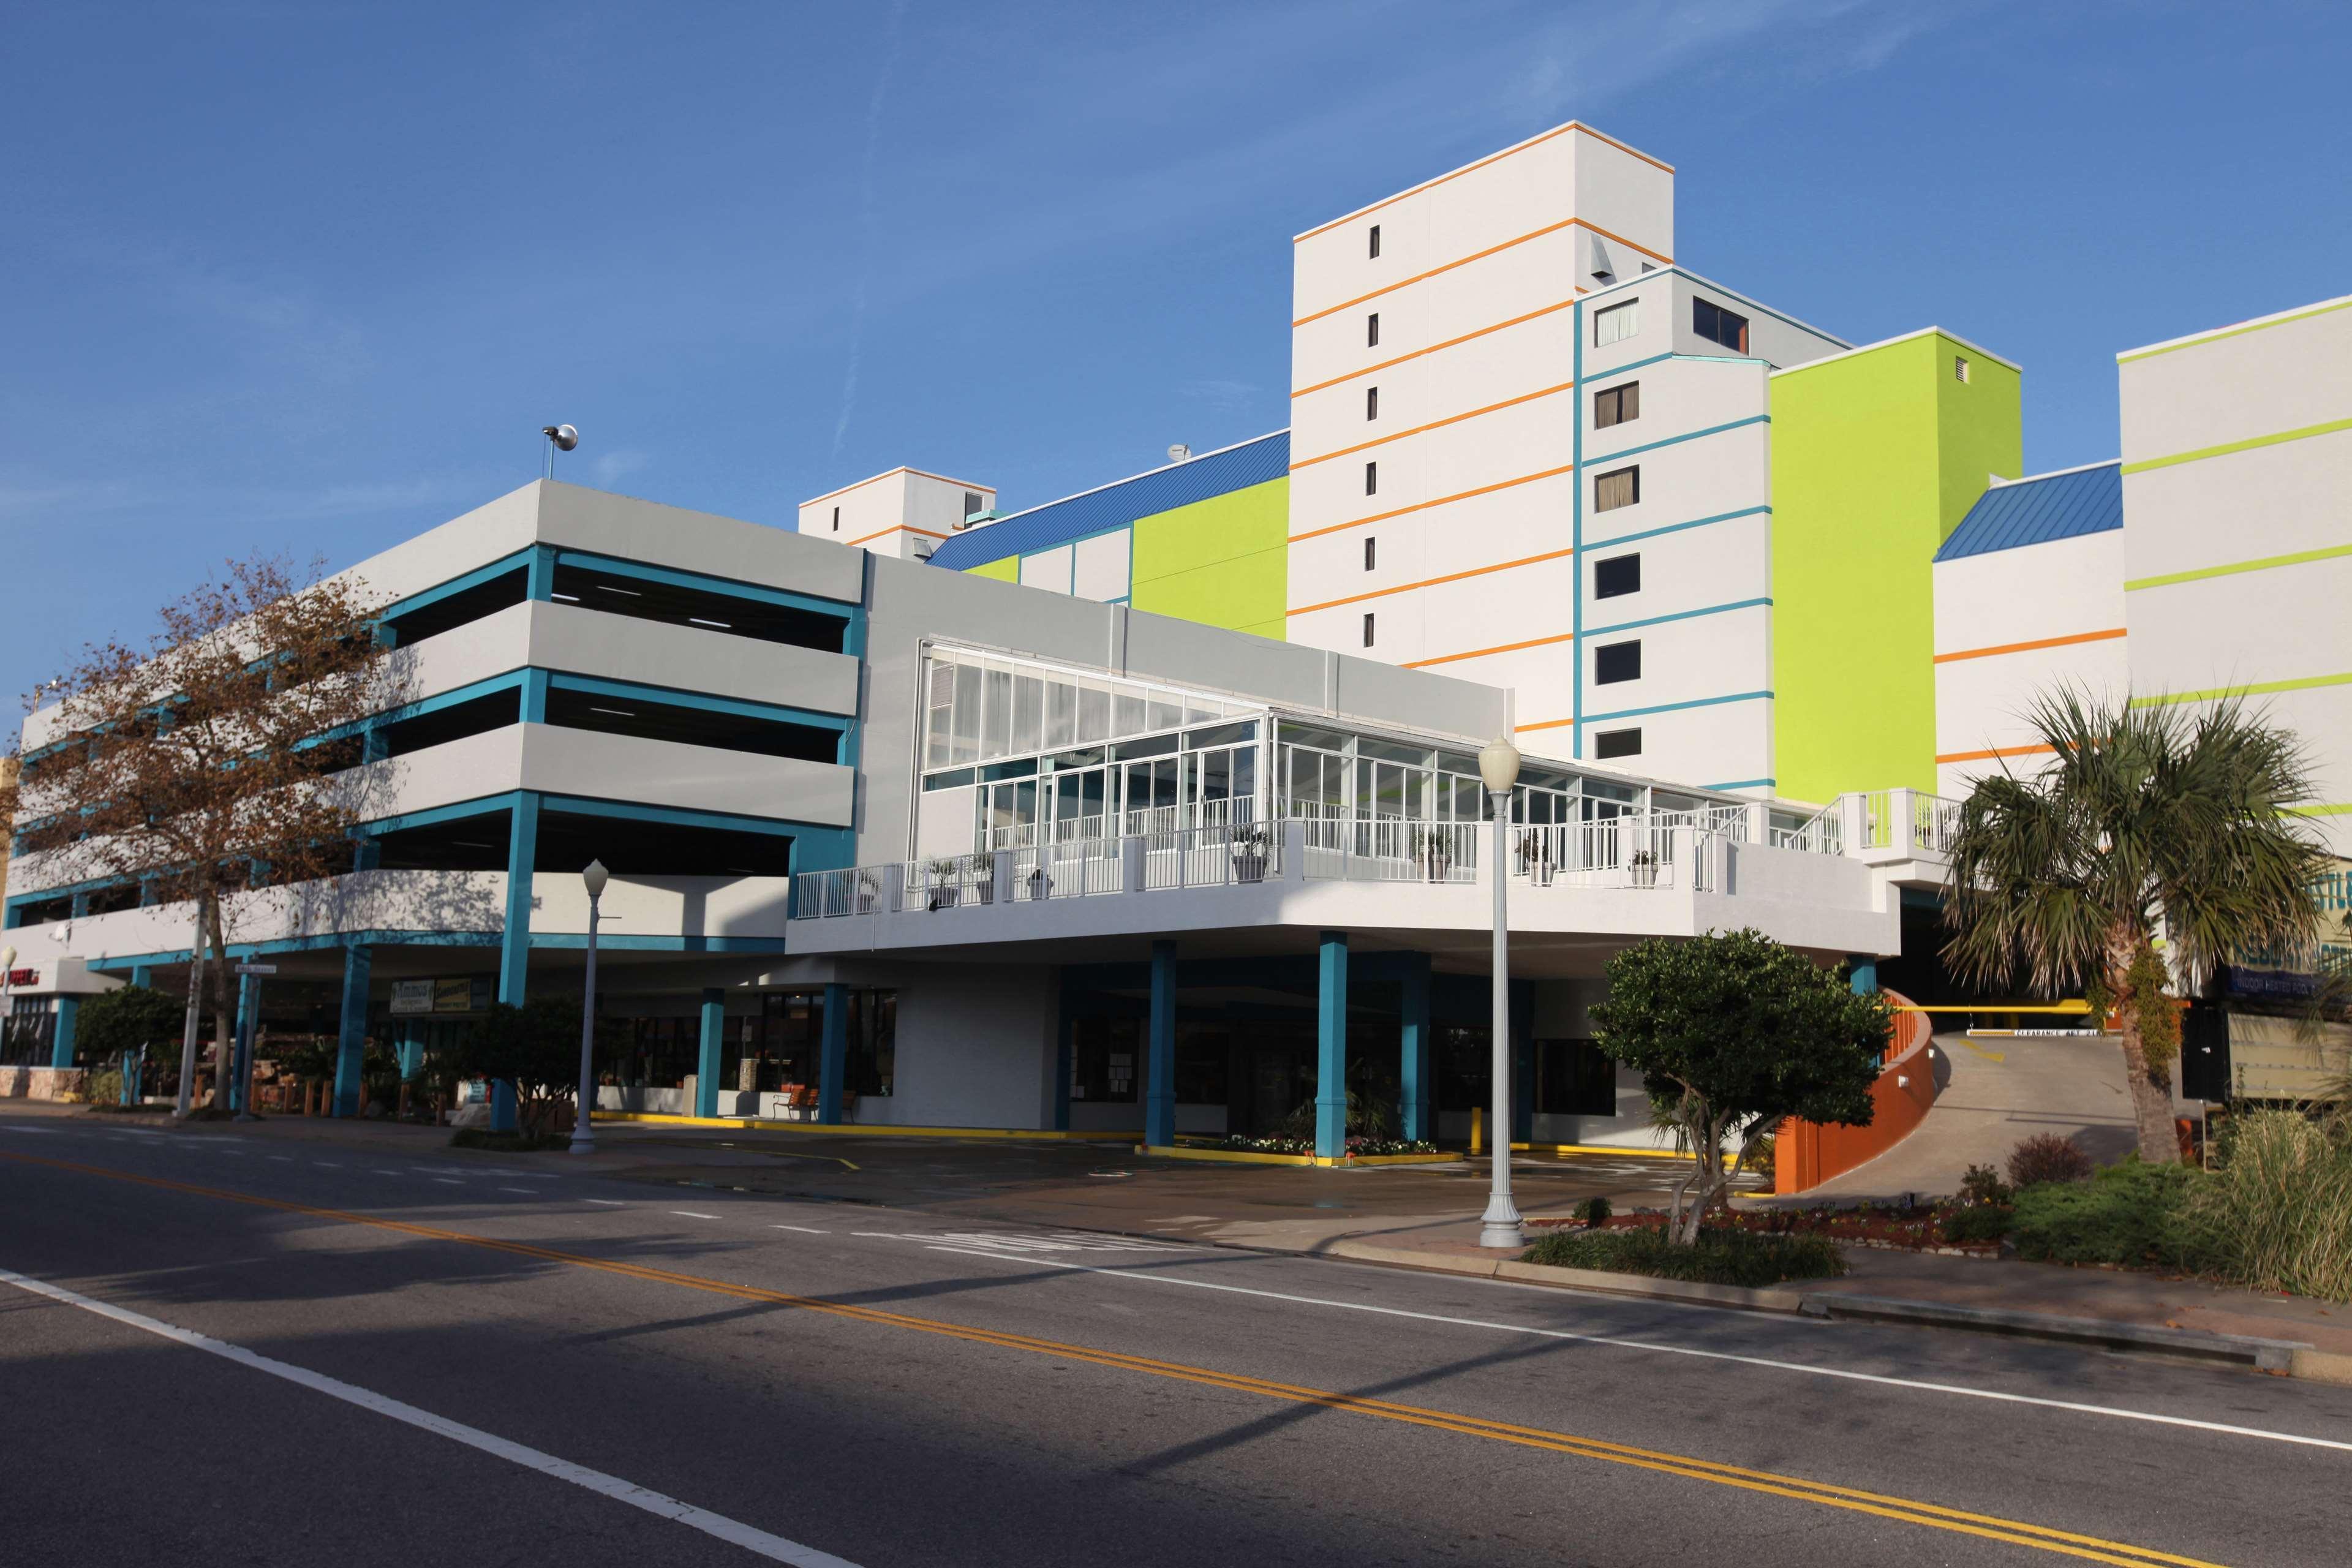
1732, 1036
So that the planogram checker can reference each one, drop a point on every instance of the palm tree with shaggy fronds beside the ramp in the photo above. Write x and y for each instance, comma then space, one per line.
2146, 819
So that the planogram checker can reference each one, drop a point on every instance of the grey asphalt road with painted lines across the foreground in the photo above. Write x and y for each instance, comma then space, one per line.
457, 1360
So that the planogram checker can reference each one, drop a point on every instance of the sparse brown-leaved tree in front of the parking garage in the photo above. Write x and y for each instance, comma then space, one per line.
220, 760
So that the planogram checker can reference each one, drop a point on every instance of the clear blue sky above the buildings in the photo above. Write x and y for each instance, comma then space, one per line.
312, 276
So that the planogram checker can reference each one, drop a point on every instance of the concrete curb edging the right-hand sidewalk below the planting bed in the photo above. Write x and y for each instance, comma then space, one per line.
2280, 1358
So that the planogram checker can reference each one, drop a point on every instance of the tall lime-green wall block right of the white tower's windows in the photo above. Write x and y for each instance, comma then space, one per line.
1876, 457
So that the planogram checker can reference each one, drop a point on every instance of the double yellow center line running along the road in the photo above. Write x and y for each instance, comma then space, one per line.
1775, 1485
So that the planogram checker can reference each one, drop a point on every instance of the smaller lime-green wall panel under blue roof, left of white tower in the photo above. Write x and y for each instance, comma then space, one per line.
1222, 561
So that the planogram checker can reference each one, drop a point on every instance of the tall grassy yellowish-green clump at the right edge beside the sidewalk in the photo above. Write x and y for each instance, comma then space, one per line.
2278, 1214
